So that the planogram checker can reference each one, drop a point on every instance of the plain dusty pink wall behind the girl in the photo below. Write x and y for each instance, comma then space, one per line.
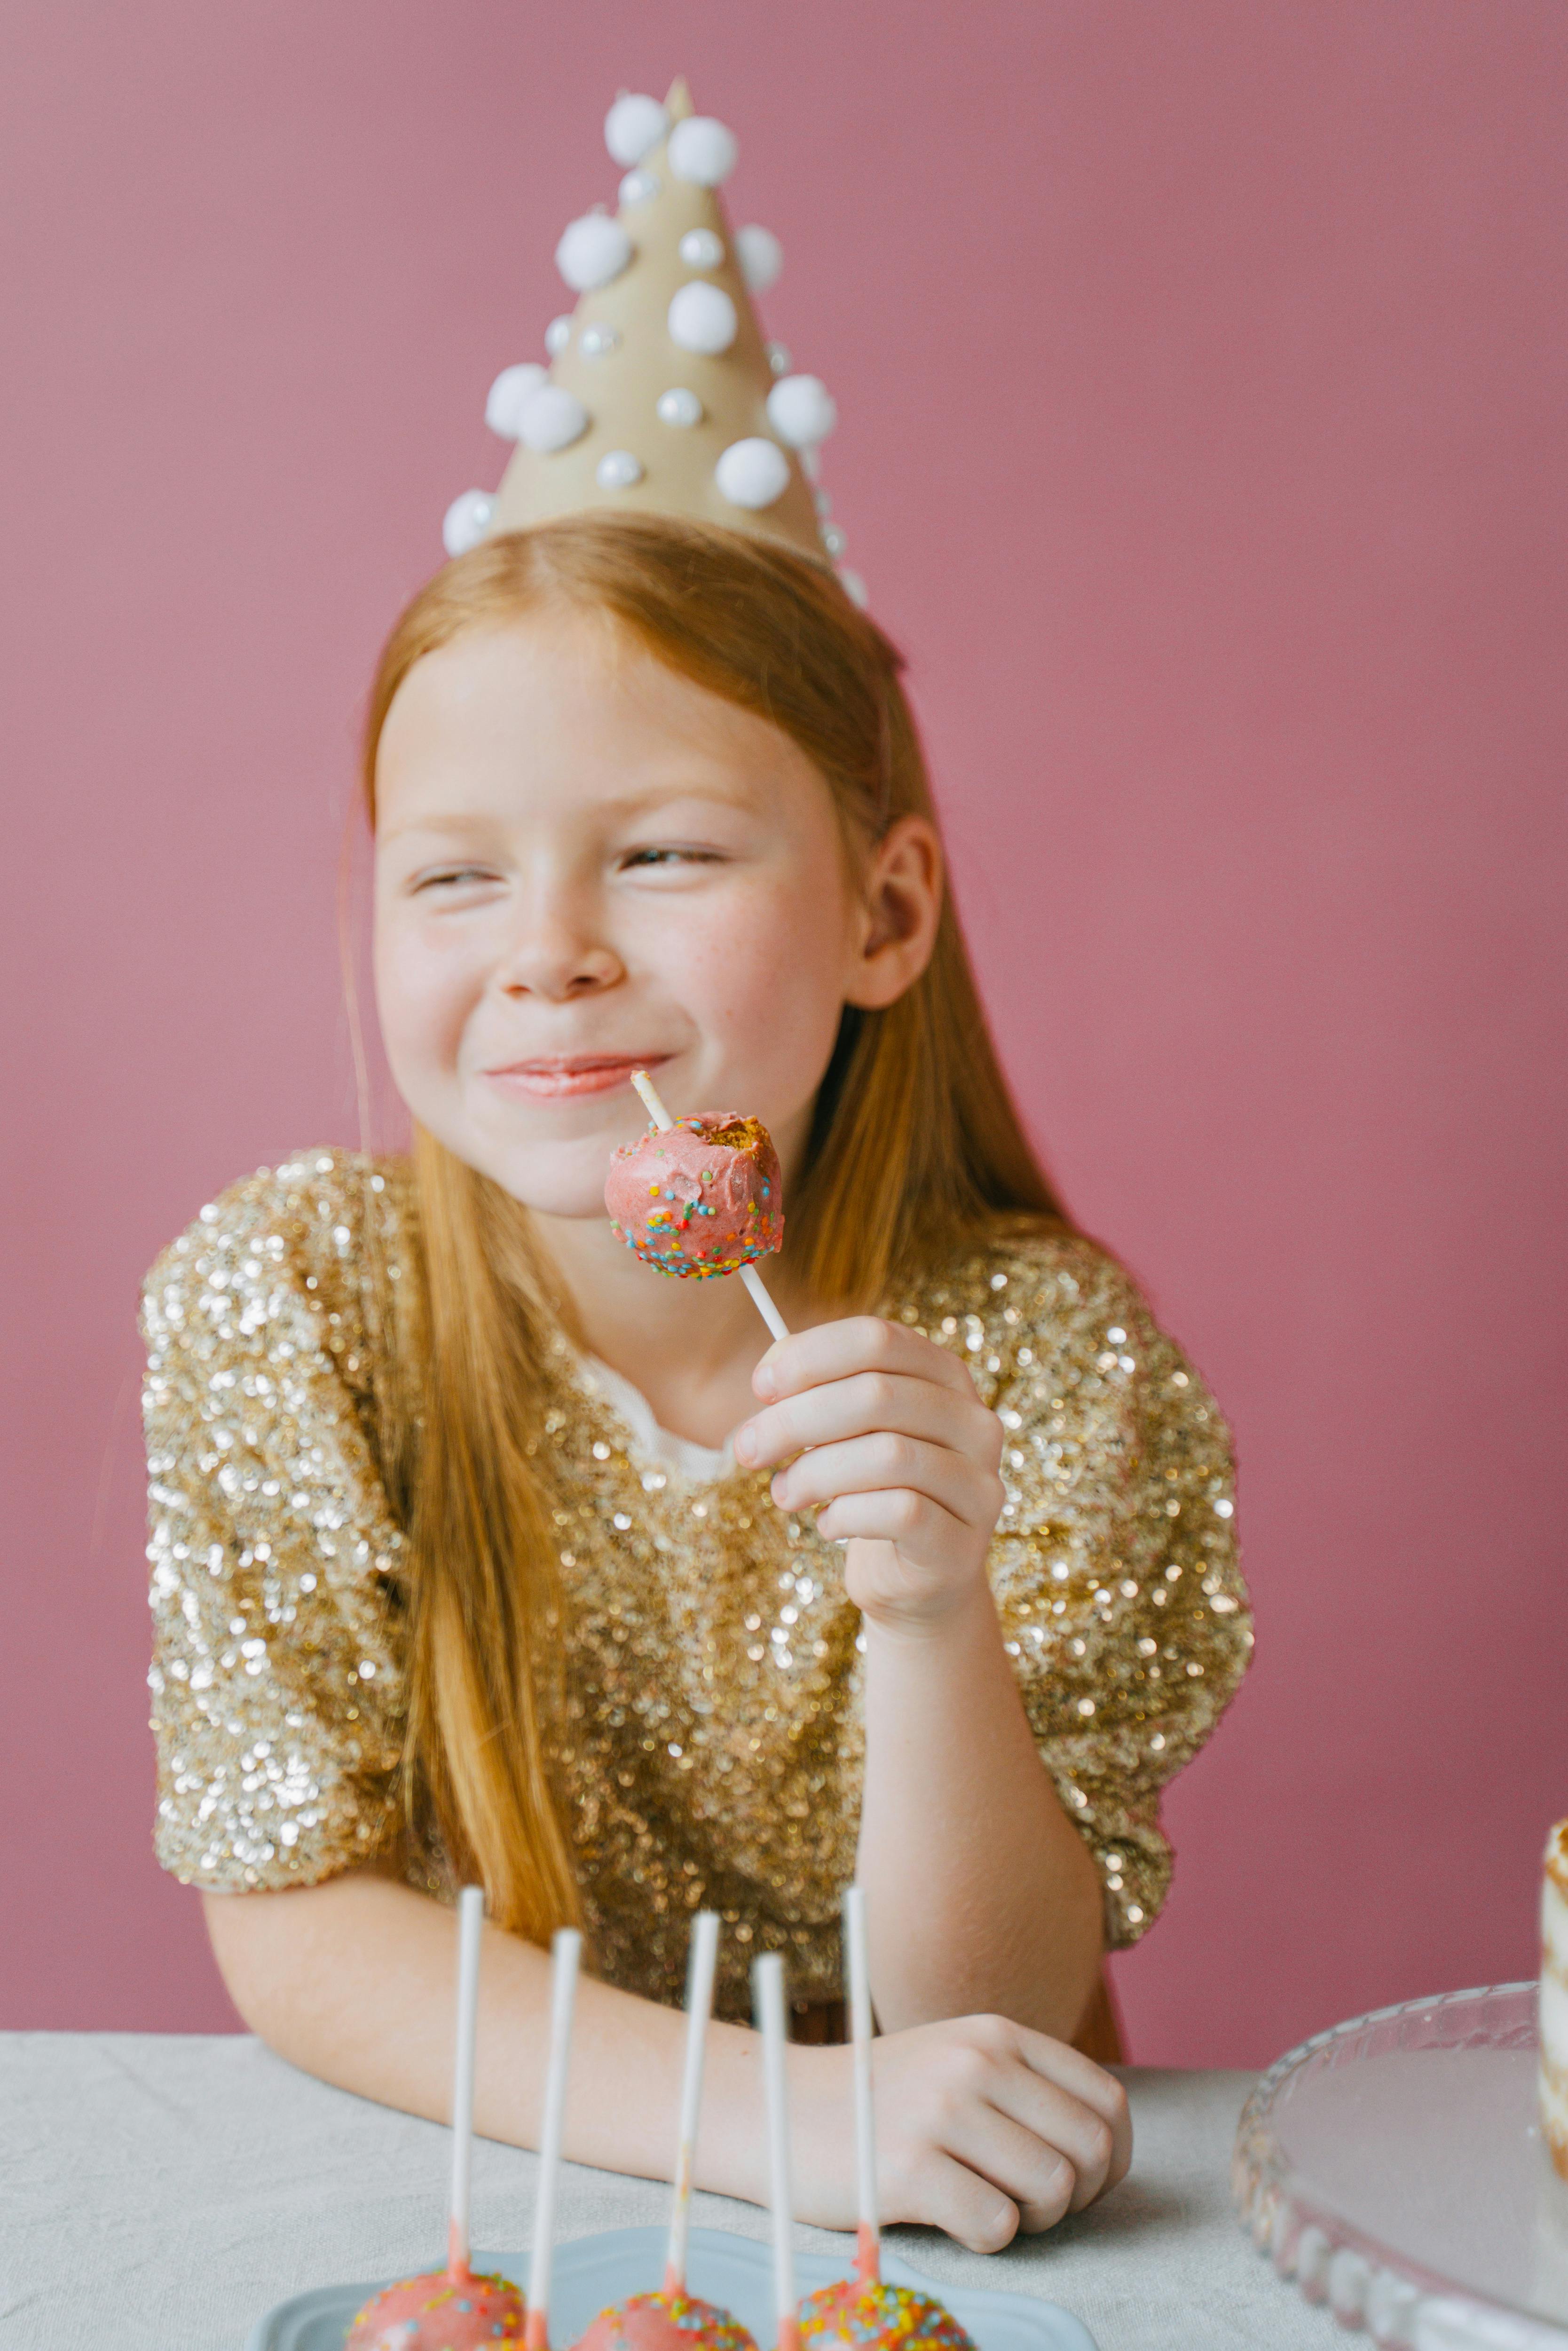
1202, 384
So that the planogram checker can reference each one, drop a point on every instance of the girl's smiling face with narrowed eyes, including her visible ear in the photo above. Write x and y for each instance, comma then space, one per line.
591, 866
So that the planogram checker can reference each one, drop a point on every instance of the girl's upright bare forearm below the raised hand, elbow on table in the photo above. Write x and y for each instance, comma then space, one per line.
979, 1889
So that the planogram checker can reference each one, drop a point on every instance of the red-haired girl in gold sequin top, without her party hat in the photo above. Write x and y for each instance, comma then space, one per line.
483, 1550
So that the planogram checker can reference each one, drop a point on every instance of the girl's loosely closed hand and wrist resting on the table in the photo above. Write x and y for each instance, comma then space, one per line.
984, 2129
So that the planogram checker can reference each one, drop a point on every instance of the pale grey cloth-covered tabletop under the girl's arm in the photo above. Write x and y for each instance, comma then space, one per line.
161, 2192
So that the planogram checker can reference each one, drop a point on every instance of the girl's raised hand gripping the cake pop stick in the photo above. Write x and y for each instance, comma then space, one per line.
885, 1438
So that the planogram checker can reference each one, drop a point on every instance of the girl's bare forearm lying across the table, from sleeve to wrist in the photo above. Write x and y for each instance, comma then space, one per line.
354, 1981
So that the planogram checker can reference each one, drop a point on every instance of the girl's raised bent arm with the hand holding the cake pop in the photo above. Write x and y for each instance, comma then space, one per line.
981, 1894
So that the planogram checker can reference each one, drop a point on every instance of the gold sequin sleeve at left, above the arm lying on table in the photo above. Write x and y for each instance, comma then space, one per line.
276, 1675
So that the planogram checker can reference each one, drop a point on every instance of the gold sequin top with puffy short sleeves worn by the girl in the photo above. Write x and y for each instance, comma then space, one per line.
711, 1743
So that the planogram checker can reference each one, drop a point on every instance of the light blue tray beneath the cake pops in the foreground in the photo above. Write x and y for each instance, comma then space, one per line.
735, 2272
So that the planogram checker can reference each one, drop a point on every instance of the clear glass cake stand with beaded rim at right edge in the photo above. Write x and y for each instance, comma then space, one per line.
1398, 2171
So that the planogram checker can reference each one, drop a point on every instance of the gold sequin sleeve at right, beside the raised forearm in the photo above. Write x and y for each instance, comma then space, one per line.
1115, 1560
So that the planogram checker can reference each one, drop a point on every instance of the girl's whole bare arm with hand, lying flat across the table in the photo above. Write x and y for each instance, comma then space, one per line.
981, 2126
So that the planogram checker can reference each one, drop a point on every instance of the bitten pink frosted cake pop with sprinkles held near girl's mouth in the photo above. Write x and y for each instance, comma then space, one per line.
699, 1198
